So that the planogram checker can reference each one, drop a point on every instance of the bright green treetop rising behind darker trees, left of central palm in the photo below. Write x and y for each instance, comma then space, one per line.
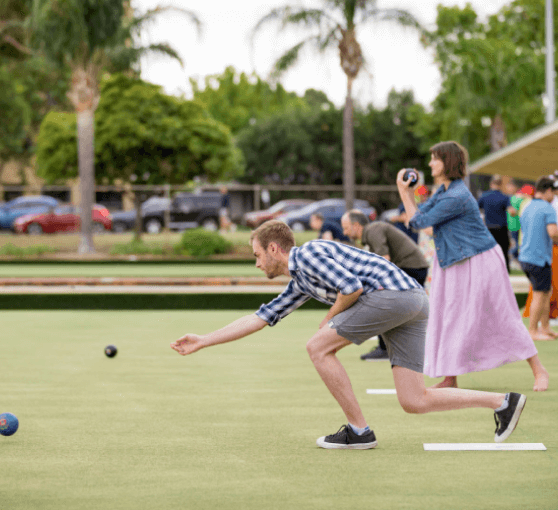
238, 99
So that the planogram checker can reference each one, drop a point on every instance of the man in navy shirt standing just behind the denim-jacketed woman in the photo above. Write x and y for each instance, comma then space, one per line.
495, 205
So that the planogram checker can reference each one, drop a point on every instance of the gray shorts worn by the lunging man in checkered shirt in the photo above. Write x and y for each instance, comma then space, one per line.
399, 316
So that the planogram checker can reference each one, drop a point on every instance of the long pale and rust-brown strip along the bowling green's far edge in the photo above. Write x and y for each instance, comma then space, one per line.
154, 285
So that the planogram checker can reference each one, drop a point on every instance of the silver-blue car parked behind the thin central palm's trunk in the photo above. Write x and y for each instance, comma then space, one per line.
332, 209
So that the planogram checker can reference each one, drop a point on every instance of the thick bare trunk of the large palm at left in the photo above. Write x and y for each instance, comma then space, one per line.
86, 164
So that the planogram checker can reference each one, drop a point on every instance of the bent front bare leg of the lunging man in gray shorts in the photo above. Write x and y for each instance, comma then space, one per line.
322, 348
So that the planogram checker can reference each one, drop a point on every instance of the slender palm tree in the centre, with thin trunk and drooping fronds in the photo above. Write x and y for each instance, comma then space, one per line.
336, 24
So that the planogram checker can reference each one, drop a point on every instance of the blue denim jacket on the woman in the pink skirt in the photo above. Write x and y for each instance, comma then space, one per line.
459, 232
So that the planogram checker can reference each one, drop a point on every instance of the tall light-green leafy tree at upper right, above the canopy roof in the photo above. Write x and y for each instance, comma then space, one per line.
493, 74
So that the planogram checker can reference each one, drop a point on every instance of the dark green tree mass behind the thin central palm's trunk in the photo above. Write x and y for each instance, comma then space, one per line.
302, 148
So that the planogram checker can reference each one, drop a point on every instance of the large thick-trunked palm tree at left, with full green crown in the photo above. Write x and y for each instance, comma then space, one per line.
89, 37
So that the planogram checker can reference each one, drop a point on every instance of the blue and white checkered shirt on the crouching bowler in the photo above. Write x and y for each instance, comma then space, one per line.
322, 269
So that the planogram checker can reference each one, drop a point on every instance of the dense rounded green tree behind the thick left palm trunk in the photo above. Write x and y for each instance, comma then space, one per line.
142, 136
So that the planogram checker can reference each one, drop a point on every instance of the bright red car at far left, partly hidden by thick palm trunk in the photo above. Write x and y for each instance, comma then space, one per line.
62, 218
